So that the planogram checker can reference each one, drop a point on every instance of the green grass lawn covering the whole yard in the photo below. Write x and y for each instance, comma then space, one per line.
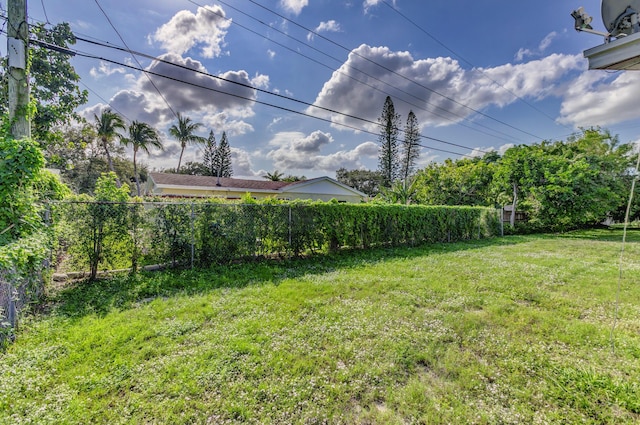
511, 330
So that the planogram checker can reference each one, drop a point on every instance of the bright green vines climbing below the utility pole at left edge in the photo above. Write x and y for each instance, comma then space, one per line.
24, 240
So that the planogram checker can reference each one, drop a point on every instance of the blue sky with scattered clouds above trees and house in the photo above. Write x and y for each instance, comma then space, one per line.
298, 85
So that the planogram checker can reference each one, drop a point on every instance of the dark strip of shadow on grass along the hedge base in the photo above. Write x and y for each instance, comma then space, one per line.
120, 292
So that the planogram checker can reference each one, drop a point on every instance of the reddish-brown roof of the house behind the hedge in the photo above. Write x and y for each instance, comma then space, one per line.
207, 181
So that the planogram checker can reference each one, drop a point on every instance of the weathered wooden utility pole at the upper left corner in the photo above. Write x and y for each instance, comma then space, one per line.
17, 47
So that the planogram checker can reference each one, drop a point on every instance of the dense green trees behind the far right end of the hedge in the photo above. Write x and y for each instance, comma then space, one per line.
558, 185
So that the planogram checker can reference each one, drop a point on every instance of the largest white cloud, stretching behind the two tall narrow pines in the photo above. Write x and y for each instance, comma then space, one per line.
414, 84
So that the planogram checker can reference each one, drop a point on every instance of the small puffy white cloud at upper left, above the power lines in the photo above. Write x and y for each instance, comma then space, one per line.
207, 28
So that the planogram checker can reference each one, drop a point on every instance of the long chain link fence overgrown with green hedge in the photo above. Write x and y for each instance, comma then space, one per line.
96, 236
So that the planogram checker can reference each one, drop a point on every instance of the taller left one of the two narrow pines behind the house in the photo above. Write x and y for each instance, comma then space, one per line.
389, 165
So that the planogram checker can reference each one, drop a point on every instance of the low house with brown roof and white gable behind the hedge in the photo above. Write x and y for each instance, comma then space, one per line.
318, 189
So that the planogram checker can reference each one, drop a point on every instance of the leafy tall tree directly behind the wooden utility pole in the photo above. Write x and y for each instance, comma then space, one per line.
54, 81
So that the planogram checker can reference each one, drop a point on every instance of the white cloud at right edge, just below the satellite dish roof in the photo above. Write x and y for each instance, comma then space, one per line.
597, 98
